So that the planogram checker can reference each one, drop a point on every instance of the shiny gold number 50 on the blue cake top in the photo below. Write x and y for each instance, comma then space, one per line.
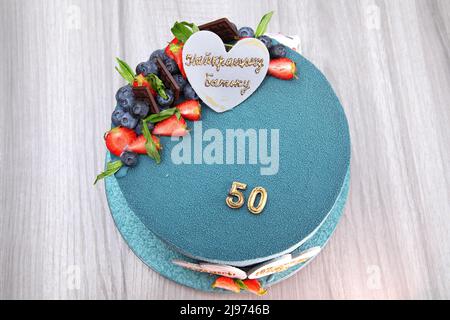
236, 199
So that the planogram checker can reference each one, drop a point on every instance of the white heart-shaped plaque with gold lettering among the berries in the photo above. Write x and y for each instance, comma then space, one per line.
224, 79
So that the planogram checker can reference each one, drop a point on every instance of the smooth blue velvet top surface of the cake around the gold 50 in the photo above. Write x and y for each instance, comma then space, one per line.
184, 205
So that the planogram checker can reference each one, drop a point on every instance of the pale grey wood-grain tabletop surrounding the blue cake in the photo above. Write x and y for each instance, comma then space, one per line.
389, 62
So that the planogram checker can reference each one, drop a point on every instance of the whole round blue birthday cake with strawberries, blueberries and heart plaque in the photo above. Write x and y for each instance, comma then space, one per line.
228, 158
